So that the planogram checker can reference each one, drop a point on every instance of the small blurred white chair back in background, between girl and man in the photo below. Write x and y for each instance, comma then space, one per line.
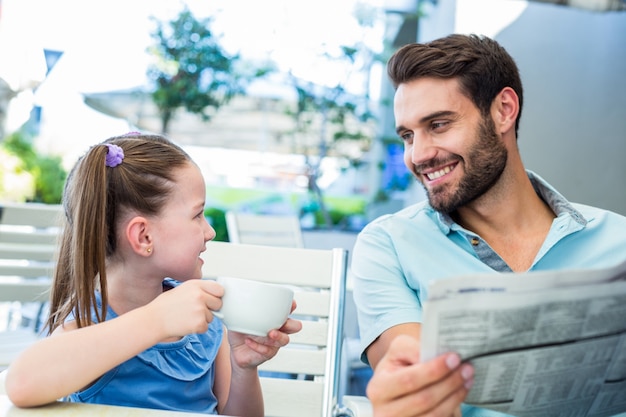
264, 229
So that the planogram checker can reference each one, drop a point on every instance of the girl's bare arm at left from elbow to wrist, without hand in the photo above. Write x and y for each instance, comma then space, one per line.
71, 359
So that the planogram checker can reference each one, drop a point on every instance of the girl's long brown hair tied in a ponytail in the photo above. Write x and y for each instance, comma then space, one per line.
95, 197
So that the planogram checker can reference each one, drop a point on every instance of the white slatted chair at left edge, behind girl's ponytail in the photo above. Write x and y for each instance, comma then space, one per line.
28, 237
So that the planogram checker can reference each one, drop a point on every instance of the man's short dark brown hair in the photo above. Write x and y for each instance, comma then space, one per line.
482, 66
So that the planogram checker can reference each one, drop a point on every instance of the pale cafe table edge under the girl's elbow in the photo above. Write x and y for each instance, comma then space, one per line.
58, 409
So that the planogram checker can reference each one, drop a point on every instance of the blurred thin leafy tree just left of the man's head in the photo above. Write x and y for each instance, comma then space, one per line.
343, 121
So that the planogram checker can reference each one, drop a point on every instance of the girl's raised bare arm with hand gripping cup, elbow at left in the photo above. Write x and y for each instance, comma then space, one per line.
71, 359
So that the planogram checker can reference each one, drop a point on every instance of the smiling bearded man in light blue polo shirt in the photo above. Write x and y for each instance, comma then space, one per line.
457, 105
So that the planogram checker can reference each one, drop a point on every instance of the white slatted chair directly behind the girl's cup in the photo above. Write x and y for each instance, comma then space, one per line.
319, 278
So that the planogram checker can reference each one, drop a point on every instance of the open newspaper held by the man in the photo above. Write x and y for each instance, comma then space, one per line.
541, 343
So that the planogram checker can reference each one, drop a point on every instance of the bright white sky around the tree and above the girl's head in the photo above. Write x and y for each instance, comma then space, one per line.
104, 48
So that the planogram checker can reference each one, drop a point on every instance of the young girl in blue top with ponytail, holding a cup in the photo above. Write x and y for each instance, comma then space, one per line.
121, 333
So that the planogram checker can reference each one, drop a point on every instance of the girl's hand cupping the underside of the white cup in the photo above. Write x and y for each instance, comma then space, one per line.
251, 351
